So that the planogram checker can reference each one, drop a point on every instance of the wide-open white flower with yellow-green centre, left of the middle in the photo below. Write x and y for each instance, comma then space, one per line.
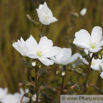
43, 50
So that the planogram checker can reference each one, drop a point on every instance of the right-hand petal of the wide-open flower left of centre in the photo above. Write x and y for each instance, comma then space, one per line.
52, 52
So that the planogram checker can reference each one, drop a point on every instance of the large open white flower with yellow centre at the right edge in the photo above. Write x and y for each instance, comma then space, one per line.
92, 43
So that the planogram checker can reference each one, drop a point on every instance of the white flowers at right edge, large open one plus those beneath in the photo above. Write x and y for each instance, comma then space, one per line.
91, 43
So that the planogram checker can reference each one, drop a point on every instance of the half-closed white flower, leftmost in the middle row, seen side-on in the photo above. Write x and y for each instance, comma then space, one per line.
20, 46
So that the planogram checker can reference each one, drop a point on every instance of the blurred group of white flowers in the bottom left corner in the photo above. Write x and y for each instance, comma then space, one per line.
5, 97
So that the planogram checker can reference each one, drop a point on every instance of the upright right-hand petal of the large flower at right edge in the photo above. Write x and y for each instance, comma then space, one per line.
96, 34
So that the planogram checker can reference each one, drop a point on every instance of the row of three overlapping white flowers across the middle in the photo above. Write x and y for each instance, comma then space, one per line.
44, 51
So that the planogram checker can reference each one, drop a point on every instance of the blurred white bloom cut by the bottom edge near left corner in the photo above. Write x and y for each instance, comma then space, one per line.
10, 99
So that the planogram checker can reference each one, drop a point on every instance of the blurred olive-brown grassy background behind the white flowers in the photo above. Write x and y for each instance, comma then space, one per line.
14, 24
